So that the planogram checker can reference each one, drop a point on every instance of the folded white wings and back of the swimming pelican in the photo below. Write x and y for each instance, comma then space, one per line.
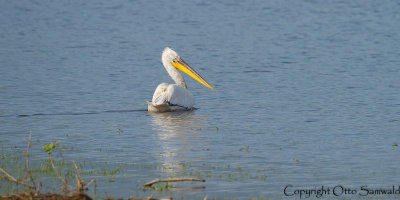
173, 95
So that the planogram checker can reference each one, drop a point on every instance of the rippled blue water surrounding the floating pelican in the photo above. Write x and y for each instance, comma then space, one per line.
306, 92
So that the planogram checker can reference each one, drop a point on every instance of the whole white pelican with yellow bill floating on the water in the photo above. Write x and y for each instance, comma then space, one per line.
174, 97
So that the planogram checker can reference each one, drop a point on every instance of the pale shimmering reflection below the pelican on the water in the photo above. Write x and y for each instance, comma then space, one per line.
179, 137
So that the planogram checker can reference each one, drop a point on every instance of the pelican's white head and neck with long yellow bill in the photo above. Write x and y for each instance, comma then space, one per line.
172, 61
